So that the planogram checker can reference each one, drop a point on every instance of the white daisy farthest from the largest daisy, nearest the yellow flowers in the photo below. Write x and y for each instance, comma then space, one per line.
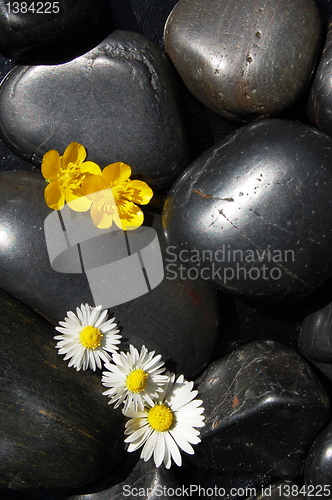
86, 336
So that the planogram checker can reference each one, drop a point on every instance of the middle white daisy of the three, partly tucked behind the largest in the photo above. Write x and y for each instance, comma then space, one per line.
134, 378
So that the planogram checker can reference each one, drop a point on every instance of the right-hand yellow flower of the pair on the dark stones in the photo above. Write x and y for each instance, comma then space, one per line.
112, 197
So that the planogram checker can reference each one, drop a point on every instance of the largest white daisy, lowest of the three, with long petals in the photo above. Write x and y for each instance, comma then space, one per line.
167, 425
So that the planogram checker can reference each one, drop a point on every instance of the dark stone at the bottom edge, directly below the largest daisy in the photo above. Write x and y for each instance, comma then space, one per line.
143, 481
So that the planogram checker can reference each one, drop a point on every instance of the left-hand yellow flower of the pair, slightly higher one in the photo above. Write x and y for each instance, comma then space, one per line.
65, 175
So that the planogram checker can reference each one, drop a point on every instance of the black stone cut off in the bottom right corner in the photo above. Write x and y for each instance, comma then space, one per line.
318, 470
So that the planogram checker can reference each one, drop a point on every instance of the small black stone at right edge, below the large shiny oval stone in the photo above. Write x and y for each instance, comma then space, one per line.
315, 337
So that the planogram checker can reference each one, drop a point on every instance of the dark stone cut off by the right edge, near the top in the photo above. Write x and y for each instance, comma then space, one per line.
319, 107
